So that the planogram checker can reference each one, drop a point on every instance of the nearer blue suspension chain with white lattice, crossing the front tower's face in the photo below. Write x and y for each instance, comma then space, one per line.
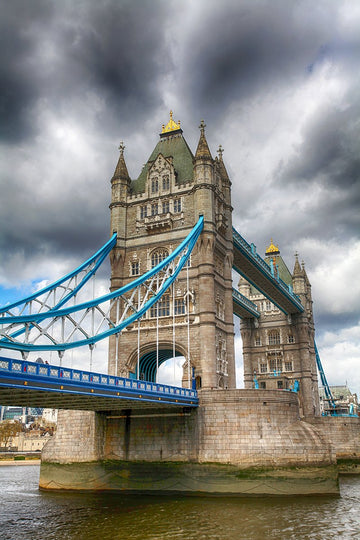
155, 282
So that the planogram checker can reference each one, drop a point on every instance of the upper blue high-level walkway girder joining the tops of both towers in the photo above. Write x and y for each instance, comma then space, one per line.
255, 270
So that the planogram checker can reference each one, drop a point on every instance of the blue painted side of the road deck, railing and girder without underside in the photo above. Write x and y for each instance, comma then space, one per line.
22, 374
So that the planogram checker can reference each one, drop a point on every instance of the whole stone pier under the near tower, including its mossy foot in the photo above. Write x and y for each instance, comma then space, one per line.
235, 442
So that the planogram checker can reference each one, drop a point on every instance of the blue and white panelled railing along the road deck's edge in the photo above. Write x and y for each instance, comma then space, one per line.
47, 372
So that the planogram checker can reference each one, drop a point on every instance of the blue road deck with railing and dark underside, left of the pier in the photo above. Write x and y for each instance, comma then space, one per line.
24, 383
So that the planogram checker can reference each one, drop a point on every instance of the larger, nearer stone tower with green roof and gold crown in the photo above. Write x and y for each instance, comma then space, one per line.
151, 216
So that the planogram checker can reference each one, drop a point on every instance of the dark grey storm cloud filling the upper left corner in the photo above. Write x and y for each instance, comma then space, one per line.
59, 51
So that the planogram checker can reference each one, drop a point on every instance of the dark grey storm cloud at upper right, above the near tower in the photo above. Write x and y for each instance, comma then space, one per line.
253, 48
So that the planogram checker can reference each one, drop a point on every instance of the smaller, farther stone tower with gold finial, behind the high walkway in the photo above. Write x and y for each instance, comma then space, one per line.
278, 349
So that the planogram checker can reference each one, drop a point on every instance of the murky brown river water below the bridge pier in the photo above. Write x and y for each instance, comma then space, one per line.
27, 513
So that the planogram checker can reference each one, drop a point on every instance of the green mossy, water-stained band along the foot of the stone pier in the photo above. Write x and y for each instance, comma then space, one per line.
188, 478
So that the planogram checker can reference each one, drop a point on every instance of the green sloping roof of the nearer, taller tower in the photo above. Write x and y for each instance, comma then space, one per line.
175, 146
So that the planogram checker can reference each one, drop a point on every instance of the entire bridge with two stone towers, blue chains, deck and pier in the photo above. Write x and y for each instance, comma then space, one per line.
172, 253
